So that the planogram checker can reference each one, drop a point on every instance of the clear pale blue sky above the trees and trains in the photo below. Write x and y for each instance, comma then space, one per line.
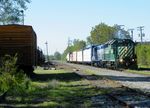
54, 21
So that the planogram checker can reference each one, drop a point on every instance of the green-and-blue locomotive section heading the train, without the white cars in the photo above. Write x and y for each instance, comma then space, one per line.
117, 53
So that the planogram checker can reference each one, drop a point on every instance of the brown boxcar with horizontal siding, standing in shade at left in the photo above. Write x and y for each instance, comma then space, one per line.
20, 40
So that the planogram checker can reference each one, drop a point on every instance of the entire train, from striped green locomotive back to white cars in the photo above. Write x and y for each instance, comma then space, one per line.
116, 53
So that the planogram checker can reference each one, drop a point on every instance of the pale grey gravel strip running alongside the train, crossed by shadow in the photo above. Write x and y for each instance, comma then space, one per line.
127, 79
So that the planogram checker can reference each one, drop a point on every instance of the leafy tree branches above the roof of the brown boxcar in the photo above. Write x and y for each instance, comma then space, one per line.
11, 11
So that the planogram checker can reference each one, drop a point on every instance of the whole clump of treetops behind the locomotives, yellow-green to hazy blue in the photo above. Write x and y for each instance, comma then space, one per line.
101, 33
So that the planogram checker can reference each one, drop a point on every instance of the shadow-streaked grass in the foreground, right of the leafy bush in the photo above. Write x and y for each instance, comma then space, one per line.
55, 88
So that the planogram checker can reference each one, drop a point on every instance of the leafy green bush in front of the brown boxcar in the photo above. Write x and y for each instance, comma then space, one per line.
10, 77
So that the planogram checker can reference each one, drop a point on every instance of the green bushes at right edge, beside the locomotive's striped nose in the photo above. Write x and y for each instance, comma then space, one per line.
143, 52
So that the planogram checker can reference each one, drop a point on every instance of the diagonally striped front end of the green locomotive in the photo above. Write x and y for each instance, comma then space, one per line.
125, 53
